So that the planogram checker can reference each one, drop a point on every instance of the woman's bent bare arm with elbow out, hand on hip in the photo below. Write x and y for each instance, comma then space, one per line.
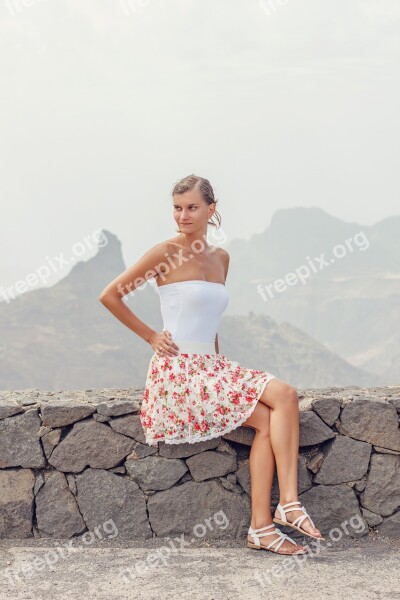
143, 270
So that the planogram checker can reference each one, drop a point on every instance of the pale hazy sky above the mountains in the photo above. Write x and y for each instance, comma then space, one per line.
104, 104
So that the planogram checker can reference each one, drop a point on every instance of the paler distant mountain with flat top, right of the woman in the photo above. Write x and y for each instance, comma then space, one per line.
338, 282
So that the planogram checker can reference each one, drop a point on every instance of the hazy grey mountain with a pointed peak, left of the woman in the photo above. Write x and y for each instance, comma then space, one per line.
62, 337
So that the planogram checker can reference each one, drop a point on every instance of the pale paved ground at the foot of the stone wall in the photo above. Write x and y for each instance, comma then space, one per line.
56, 569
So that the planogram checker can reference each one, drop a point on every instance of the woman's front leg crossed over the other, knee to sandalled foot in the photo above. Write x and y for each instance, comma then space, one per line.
283, 401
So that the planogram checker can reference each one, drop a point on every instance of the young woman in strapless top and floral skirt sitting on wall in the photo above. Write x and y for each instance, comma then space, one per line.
194, 393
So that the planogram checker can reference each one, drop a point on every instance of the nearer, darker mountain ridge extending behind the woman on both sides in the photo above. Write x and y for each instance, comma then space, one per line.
62, 337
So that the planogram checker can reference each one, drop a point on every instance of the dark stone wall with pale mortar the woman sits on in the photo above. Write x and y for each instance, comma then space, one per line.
72, 461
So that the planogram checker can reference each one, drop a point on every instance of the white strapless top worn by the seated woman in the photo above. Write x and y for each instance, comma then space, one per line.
192, 310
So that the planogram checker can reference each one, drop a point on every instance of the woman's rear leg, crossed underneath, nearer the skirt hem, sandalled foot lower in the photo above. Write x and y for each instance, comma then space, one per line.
262, 467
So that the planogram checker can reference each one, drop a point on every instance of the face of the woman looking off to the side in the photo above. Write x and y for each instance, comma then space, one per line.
191, 212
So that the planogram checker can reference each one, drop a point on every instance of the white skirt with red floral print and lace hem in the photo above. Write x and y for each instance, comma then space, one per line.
193, 397
